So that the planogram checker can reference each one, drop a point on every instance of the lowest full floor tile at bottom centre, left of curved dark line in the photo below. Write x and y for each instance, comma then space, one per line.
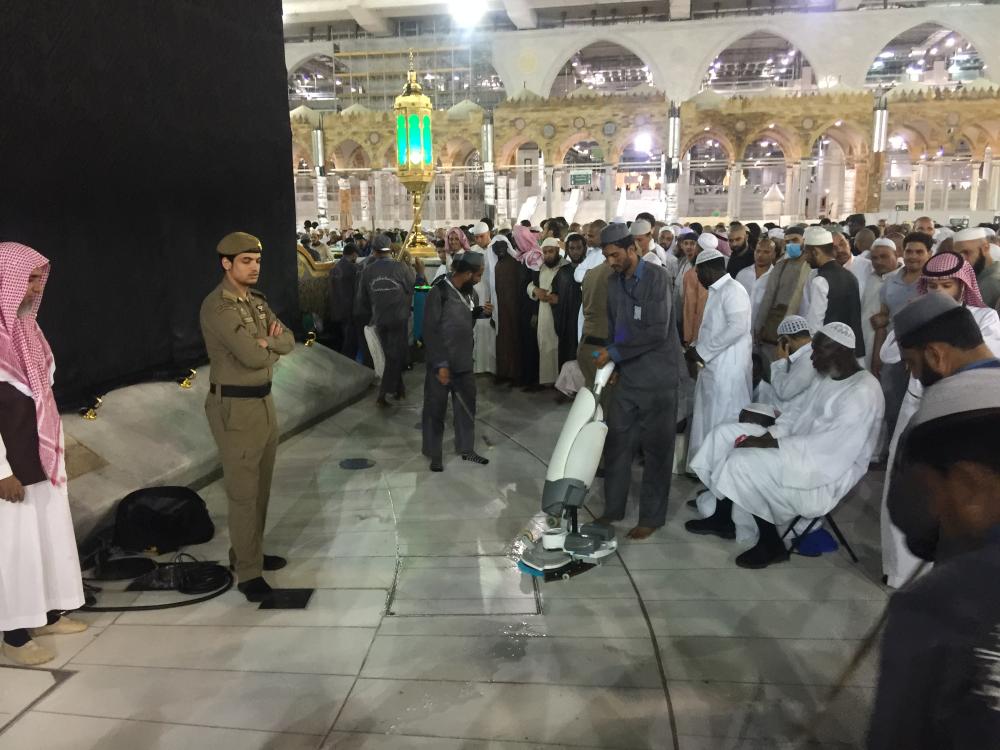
597, 717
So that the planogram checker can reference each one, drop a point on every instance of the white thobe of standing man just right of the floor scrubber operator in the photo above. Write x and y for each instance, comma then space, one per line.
724, 385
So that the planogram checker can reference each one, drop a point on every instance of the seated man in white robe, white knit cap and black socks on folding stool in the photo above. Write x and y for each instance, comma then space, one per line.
800, 467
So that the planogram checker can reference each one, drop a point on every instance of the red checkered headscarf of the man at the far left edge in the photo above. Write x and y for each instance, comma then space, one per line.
25, 355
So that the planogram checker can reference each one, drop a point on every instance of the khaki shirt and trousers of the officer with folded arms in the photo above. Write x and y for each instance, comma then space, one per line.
245, 429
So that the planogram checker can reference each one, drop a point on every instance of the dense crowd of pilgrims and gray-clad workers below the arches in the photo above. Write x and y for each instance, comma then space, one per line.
777, 338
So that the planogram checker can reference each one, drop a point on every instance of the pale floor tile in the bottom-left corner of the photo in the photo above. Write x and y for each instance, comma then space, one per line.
60, 732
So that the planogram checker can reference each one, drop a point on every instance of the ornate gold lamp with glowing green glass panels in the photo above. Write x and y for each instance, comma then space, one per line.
415, 156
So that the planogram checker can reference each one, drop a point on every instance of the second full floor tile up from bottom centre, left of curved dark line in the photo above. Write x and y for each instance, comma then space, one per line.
515, 657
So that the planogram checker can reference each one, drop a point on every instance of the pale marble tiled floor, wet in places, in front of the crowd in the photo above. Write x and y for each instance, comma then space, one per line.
422, 634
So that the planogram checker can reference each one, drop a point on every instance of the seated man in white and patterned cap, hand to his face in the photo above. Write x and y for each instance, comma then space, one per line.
792, 372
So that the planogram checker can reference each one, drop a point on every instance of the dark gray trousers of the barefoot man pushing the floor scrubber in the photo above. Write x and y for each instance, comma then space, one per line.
647, 419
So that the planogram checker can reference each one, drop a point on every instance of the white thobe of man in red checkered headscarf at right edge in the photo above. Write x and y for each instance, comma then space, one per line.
898, 563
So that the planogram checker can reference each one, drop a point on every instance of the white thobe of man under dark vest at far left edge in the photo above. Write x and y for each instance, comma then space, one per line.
39, 563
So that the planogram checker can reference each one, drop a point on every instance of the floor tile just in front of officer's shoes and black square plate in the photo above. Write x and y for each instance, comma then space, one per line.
327, 607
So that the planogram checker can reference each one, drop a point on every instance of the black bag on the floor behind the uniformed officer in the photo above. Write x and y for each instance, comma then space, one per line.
161, 519
